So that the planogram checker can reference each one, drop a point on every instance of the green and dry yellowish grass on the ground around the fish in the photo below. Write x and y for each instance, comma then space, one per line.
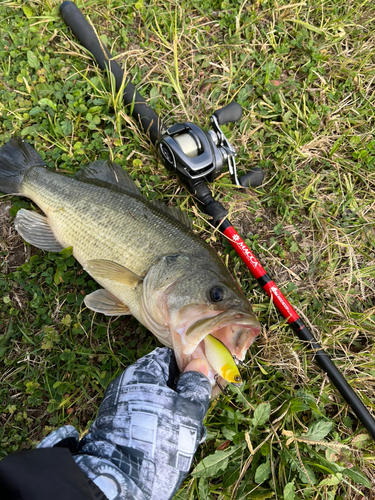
304, 73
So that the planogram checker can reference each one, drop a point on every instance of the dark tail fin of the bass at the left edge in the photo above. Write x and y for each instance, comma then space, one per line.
16, 158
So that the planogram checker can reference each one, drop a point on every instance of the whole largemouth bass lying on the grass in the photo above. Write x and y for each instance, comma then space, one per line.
144, 254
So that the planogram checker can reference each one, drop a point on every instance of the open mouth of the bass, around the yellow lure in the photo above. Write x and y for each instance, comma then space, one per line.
237, 331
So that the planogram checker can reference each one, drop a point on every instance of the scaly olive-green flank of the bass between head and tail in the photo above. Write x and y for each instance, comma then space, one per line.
67, 203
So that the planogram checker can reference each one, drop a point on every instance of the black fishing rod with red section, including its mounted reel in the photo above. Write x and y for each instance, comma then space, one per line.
198, 157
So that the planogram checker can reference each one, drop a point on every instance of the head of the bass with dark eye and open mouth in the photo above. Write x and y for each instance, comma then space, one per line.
186, 297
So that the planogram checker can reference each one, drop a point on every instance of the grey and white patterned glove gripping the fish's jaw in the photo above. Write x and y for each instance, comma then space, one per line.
143, 441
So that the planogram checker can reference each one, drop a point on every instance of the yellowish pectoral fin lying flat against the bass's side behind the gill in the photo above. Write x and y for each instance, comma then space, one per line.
106, 269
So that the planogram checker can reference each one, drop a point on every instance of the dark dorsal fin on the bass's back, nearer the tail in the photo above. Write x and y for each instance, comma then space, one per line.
108, 171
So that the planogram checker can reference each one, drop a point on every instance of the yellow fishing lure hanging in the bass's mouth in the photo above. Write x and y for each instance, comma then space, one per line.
221, 360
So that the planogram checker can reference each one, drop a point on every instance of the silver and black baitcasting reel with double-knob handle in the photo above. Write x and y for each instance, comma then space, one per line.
198, 155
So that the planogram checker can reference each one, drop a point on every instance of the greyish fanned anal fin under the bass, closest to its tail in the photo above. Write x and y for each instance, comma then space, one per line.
35, 229
